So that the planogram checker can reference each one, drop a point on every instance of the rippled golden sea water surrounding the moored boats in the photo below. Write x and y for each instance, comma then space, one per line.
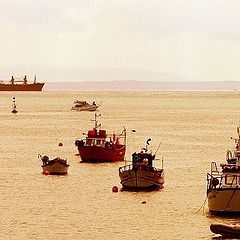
194, 127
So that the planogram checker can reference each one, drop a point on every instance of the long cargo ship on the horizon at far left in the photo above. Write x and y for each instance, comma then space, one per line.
20, 84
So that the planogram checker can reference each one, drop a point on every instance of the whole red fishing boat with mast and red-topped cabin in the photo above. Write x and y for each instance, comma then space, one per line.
100, 147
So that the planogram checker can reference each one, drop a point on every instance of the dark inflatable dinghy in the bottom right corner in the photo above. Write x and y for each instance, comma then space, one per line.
226, 230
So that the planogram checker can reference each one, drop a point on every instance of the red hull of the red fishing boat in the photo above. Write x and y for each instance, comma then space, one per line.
101, 154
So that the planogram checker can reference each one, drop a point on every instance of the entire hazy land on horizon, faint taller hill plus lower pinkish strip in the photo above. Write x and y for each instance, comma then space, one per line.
85, 79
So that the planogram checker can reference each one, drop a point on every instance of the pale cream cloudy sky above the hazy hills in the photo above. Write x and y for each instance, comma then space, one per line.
195, 39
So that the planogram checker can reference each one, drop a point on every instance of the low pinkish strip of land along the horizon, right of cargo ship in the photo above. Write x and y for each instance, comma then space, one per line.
141, 86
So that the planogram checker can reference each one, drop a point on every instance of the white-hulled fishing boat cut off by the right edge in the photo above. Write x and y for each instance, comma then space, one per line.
223, 183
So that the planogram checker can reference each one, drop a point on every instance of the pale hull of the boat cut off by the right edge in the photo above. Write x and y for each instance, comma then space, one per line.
226, 200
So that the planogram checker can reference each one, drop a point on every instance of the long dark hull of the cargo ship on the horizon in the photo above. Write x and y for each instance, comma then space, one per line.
22, 87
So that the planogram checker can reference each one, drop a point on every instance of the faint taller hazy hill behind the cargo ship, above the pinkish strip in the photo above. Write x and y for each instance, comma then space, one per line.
50, 74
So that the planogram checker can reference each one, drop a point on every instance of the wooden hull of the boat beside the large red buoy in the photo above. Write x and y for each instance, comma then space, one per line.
141, 179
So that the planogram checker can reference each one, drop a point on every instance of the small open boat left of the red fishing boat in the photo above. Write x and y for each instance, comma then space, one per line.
56, 166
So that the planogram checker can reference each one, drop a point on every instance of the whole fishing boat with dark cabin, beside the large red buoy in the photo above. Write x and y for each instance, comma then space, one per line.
141, 173
